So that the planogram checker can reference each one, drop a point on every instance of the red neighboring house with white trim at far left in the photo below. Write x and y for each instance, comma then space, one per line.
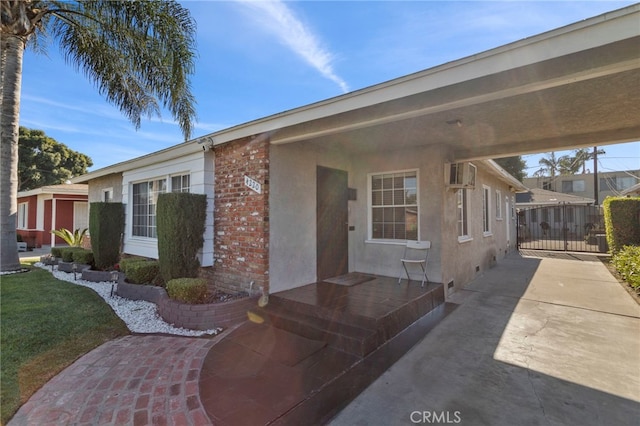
51, 207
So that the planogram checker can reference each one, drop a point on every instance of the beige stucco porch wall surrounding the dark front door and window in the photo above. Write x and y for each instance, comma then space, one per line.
293, 209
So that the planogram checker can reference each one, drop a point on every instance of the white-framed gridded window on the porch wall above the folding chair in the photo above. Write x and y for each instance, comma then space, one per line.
394, 208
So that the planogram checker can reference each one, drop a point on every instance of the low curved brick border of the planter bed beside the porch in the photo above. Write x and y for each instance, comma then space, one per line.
194, 317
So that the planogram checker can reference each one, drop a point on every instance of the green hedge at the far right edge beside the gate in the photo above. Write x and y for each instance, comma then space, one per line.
622, 222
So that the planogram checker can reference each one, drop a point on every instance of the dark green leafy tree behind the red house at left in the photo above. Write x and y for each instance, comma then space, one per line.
44, 161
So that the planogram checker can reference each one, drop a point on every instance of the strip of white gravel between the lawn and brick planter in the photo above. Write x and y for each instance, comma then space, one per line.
140, 316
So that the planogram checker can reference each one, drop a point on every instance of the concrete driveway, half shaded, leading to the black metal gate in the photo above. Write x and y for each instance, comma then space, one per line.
536, 341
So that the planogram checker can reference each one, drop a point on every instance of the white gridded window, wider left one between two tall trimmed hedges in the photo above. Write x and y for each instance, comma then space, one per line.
145, 199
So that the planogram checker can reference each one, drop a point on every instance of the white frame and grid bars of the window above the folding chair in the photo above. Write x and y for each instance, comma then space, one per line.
371, 206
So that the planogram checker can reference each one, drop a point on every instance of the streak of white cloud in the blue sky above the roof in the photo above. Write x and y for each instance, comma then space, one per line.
282, 22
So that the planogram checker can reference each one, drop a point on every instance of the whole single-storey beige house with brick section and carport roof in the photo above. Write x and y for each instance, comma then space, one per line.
340, 186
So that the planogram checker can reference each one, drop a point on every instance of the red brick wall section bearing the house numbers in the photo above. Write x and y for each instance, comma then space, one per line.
241, 216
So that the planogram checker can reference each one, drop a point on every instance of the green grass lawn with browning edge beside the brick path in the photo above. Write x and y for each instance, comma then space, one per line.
45, 325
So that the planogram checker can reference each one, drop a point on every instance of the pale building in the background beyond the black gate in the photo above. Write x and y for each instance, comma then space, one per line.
610, 184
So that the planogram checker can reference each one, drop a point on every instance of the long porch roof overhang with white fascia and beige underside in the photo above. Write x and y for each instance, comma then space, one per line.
575, 86
